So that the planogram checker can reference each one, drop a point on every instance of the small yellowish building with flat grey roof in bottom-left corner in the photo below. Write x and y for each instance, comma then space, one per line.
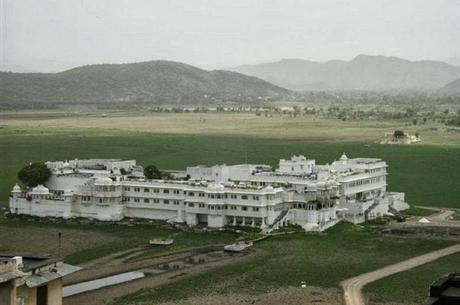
31, 279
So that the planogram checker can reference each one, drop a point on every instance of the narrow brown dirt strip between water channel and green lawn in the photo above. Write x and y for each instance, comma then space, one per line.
109, 294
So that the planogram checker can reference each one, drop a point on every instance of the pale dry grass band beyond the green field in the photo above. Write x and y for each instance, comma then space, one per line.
277, 126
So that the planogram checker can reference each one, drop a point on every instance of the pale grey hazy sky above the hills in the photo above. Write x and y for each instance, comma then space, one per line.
49, 35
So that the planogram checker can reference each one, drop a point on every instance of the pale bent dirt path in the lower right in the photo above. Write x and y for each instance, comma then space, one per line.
352, 287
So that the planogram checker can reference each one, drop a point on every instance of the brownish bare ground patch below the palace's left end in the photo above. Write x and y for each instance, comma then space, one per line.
29, 239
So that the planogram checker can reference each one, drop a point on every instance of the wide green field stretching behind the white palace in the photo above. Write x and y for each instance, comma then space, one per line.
427, 174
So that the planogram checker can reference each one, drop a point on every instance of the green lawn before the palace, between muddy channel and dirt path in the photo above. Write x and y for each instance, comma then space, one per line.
320, 259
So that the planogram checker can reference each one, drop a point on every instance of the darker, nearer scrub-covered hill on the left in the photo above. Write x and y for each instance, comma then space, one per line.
148, 82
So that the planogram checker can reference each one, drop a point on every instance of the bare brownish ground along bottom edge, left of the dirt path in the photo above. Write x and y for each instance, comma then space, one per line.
287, 296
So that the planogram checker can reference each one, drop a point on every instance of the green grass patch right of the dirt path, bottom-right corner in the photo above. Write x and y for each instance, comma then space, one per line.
412, 286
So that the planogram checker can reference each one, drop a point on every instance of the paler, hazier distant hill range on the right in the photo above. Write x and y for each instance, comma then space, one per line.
362, 73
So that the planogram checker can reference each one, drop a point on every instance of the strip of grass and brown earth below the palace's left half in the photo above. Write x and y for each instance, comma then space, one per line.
84, 242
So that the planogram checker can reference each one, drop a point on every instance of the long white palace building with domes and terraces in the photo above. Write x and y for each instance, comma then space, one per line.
298, 192
